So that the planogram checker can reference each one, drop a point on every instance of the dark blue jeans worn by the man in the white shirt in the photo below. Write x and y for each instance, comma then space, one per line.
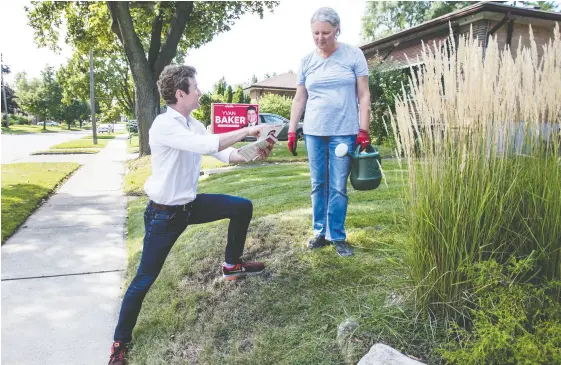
163, 228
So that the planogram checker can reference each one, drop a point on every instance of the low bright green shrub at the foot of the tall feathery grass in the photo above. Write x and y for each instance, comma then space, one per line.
513, 322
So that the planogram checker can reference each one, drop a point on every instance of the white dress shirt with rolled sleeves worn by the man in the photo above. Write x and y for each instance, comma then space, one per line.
177, 146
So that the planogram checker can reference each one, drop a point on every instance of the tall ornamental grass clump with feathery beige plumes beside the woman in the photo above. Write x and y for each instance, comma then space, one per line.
478, 128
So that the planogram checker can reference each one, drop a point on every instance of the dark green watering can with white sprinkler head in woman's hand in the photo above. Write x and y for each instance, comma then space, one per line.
366, 173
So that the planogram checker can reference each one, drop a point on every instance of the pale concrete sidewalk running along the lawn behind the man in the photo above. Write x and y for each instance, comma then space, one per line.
62, 272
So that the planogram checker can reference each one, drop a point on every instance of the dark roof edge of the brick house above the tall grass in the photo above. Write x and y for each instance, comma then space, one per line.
457, 15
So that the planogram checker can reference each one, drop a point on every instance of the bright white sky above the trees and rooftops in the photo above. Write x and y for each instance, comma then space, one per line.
257, 46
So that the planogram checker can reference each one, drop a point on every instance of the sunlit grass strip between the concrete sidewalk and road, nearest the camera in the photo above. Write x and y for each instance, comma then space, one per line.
24, 186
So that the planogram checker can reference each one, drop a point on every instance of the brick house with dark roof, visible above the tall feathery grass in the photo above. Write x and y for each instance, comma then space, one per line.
508, 23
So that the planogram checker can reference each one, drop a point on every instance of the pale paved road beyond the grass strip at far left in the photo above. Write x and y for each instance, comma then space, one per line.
16, 147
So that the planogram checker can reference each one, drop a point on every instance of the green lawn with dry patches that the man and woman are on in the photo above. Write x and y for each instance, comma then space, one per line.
290, 314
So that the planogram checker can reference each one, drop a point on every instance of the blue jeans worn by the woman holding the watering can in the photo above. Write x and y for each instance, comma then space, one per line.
329, 175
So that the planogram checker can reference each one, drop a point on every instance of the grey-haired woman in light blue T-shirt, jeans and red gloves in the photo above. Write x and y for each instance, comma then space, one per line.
332, 85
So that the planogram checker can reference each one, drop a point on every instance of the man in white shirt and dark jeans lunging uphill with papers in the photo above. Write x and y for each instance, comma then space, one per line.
178, 142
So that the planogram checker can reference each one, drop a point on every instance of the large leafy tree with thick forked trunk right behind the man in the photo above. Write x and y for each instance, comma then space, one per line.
151, 33
